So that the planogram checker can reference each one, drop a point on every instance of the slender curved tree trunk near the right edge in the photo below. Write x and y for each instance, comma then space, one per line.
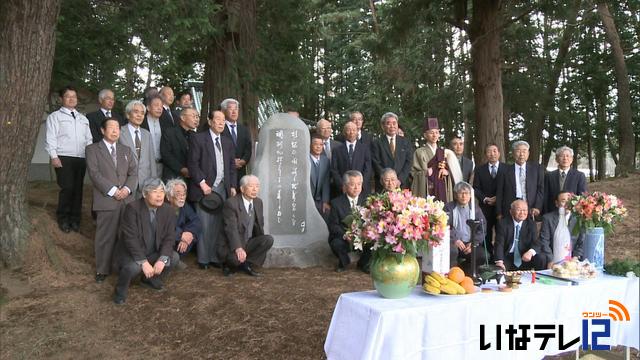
626, 139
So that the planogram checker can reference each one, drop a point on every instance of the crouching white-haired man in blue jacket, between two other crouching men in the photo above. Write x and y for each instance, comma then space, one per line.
188, 226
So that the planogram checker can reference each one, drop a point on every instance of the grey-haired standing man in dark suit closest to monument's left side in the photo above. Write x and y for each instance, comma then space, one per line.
238, 134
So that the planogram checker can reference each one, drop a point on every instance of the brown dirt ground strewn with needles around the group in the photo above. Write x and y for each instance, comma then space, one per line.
52, 307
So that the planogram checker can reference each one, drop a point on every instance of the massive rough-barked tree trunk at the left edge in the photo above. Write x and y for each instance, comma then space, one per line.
27, 44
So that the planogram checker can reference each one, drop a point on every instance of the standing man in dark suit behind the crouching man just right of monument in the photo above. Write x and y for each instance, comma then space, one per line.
352, 155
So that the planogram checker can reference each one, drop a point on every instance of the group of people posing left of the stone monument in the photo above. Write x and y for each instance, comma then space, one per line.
160, 189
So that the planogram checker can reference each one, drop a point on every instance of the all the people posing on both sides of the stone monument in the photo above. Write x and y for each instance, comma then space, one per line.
162, 189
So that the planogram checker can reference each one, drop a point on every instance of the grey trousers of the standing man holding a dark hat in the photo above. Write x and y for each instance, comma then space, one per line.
212, 231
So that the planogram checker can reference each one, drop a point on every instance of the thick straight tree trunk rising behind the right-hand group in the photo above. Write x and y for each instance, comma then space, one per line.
486, 73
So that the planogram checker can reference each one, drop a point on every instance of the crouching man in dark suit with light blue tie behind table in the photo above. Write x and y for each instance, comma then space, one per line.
517, 246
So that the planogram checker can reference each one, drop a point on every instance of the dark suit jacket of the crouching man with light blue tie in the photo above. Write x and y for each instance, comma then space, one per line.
505, 232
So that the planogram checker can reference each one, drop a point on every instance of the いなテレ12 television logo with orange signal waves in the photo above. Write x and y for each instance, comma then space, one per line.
596, 327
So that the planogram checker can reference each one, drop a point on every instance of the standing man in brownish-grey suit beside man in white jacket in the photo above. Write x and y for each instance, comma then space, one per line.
112, 169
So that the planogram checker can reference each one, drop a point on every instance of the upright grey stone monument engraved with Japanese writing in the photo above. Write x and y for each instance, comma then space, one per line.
290, 216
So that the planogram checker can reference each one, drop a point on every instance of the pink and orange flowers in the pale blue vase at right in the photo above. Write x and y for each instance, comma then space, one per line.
598, 209
